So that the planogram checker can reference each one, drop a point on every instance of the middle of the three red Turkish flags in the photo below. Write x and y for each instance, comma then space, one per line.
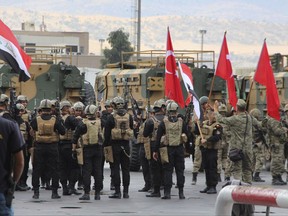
224, 70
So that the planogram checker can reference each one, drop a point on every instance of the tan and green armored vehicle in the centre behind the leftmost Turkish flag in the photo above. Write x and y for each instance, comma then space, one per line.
143, 81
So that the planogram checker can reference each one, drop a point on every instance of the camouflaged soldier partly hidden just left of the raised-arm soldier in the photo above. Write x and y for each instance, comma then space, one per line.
222, 154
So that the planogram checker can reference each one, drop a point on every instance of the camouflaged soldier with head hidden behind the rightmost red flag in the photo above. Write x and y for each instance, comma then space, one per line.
278, 136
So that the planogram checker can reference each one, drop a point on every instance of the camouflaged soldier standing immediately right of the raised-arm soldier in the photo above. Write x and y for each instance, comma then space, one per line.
258, 145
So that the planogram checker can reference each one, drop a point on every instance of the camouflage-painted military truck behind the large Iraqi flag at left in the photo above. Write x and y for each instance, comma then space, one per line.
51, 78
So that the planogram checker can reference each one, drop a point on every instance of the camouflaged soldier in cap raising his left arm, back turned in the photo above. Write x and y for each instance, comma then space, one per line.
241, 133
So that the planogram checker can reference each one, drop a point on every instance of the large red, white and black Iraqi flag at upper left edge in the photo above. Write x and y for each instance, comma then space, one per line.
11, 52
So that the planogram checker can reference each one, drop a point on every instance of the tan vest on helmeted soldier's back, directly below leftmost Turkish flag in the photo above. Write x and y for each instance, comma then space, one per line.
173, 132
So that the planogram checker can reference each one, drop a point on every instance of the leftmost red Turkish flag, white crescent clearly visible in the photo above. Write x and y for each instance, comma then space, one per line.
172, 82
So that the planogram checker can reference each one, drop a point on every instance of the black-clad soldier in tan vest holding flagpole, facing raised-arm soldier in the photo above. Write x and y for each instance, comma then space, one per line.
209, 143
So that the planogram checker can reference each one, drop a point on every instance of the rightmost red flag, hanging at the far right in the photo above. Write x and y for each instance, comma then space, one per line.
264, 75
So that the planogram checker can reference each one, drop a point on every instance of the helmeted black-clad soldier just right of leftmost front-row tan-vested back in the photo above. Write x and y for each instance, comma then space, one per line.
68, 167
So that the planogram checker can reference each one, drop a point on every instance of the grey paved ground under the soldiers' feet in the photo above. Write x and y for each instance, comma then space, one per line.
195, 203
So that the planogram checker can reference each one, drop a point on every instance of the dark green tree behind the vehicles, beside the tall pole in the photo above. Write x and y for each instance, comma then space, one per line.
119, 42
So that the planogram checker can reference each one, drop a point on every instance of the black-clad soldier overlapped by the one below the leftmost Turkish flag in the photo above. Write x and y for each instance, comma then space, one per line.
150, 131
